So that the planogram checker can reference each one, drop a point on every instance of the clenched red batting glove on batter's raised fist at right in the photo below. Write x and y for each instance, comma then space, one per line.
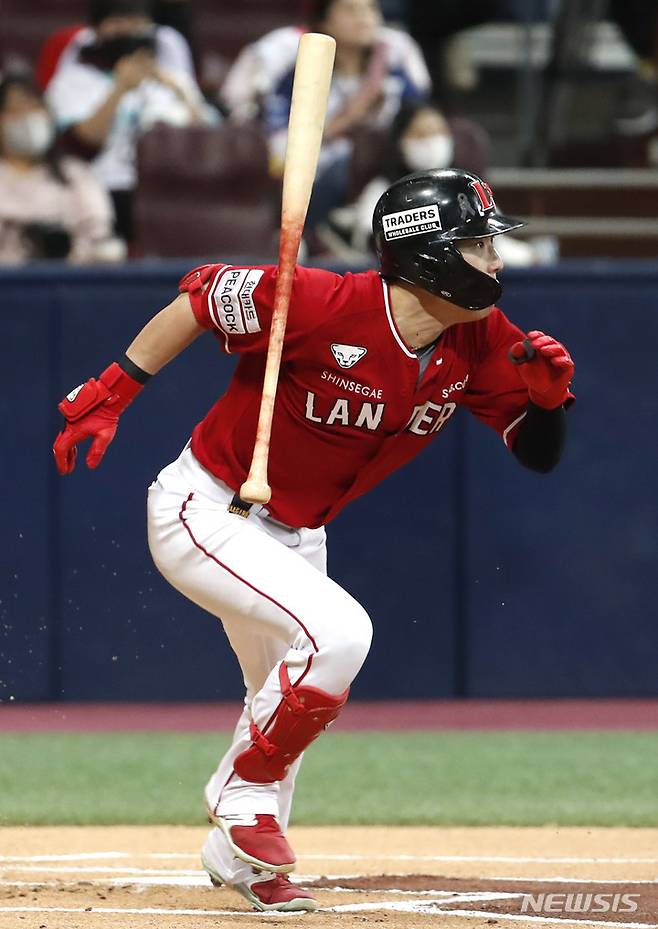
548, 373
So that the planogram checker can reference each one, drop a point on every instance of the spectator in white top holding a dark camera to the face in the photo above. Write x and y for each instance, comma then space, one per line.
108, 91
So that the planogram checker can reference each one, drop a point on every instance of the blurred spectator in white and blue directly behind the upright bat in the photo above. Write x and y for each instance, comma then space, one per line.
377, 68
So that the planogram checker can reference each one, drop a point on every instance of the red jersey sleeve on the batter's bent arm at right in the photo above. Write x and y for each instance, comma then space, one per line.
496, 394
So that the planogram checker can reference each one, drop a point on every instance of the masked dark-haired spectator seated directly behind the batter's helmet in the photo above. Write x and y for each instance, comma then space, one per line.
421, 138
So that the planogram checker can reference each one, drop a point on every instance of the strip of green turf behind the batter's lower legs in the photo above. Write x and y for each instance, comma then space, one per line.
442, 778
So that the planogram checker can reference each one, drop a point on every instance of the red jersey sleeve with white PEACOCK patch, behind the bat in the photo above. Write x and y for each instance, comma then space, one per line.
236, 303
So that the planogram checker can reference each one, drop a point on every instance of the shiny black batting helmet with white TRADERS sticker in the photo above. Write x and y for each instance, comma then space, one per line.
416, 223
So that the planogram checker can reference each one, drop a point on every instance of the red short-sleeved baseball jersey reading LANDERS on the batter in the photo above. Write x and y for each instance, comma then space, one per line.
350, 408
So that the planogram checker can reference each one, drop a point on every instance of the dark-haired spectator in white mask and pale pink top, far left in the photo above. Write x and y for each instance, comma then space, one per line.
50, 206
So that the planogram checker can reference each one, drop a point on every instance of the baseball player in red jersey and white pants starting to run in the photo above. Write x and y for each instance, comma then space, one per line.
374, 366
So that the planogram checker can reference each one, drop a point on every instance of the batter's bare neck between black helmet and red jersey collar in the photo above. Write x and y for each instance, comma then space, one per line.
421, 317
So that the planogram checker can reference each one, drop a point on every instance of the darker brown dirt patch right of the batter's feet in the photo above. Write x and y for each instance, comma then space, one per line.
619, 903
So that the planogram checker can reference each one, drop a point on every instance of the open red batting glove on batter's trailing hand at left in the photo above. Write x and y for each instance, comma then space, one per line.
92, 410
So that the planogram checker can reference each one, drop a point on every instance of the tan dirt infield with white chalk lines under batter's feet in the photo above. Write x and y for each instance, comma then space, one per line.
150, 878
